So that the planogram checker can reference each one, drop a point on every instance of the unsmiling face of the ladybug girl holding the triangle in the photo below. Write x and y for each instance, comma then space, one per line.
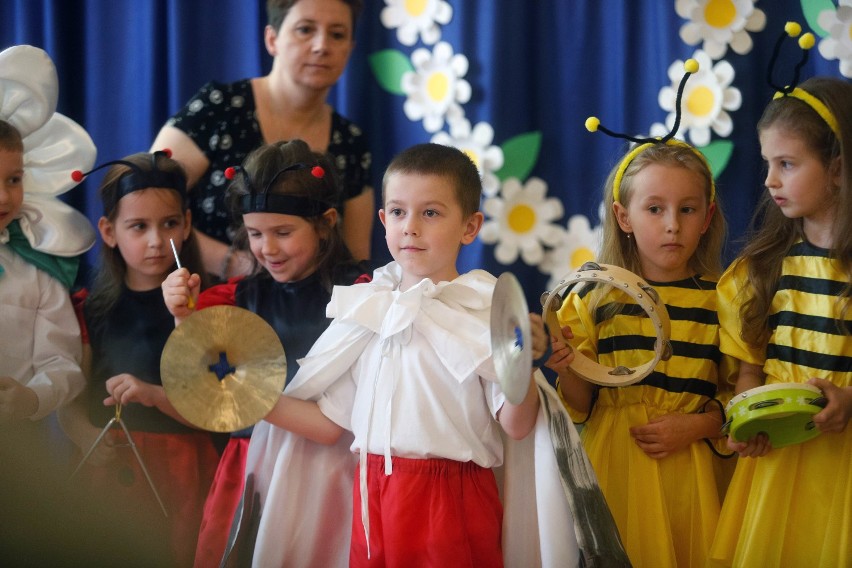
145, 221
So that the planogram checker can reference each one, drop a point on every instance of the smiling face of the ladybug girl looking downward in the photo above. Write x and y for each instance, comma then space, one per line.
285, 245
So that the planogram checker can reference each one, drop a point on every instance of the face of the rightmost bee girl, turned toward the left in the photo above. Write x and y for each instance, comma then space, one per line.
797, 179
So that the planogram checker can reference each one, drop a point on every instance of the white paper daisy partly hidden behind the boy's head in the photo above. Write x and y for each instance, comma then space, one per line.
476, 143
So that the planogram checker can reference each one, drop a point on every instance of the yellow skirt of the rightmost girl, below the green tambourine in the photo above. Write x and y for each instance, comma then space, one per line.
791, 507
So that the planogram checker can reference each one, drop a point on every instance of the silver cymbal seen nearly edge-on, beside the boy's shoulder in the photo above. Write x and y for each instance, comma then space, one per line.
511, 341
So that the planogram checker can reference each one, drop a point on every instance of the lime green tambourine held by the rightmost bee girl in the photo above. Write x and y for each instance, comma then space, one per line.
783, 411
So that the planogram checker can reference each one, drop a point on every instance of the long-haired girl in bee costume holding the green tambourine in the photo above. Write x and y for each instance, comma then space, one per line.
785, 306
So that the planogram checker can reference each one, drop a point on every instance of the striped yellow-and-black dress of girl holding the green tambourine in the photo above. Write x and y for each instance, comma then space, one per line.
792, 507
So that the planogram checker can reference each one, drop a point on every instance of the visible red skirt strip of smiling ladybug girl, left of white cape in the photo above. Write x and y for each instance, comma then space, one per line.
221, 504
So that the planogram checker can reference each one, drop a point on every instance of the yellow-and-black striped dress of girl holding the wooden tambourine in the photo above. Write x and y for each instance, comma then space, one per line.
666, 509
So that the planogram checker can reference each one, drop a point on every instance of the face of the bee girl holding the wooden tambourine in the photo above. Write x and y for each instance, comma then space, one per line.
667, 214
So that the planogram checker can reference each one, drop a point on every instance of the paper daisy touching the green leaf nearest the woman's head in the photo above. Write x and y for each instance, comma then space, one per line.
436, 88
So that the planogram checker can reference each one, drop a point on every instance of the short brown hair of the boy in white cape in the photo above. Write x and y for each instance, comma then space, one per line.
443, 161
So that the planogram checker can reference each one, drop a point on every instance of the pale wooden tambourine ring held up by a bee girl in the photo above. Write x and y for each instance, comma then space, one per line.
644, 295
